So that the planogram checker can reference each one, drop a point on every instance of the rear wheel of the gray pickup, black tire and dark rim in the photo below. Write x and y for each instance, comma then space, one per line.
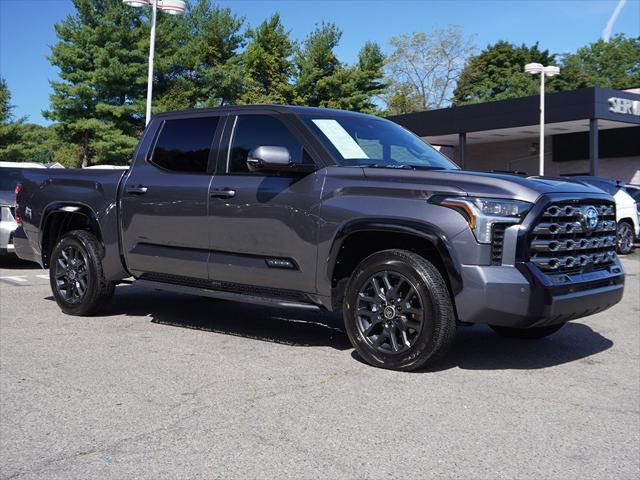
76, 275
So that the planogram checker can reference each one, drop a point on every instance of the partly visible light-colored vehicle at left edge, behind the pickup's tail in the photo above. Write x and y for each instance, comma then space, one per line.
10, 175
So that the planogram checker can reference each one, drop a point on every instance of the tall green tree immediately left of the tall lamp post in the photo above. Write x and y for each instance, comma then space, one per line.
99, 100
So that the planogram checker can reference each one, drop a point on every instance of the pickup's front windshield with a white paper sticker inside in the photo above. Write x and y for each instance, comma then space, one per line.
366, 141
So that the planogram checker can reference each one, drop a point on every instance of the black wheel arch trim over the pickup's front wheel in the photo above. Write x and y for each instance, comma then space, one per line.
426, 231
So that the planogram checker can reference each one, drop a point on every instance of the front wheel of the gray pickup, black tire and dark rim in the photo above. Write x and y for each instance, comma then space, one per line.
423, 323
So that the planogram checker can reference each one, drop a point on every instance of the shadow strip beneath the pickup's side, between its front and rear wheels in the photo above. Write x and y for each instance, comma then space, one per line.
295, 327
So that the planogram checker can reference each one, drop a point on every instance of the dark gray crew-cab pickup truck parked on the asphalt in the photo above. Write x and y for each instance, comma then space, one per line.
327, 209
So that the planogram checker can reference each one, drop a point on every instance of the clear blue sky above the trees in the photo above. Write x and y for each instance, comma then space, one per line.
26, 29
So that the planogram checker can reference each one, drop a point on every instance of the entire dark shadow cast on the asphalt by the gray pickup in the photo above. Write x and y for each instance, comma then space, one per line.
475, 348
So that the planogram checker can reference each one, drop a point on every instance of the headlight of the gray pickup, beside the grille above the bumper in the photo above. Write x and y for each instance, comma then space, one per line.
483, 213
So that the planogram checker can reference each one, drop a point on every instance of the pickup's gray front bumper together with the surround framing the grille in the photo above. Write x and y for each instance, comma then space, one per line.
517, 293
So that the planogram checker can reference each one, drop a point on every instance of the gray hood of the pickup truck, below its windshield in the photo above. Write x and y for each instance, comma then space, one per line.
484, 184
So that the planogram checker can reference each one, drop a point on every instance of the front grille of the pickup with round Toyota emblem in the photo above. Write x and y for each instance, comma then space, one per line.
564, 241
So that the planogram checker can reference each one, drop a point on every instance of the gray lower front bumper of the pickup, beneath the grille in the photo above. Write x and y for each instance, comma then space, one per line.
521, 296
